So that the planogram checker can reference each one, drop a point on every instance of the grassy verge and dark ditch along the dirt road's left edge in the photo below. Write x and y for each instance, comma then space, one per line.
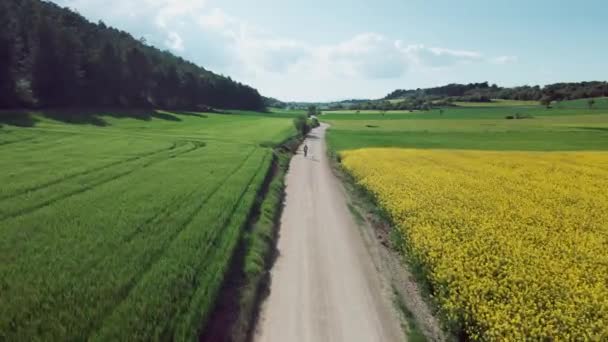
247, 284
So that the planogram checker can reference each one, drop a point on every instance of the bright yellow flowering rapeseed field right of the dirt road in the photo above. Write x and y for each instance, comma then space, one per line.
515, 243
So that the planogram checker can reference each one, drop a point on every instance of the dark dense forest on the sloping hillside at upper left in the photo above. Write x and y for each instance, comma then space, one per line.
53, 57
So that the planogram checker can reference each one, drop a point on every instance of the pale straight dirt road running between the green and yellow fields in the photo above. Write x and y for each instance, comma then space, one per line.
324, 284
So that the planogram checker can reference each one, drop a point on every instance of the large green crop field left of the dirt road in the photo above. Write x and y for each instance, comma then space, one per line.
122, 226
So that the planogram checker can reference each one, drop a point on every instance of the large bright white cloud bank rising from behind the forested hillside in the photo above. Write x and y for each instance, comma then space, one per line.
229, 45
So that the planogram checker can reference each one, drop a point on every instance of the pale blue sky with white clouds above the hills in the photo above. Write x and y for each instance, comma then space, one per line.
326, 50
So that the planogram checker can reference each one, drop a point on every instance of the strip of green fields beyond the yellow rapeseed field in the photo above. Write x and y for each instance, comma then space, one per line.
571, 126
